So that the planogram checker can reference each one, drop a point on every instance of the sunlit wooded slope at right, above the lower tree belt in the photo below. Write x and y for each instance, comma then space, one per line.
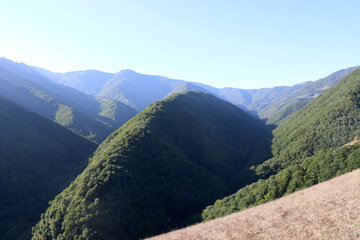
328, 121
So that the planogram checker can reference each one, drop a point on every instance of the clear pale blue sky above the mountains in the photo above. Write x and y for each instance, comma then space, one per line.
244, 44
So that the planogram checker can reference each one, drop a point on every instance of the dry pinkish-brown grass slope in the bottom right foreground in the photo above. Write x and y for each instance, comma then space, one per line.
330, 210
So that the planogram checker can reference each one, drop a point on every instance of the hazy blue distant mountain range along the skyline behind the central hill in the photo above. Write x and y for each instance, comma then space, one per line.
137, 91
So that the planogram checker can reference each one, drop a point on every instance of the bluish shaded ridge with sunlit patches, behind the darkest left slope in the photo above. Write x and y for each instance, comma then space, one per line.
85, 115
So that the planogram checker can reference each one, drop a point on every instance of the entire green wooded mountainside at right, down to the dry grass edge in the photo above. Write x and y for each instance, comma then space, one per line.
309, 146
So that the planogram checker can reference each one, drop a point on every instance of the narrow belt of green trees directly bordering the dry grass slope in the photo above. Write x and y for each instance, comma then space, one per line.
321, 167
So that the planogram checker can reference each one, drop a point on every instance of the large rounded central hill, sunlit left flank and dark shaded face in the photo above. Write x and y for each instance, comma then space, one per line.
158, 170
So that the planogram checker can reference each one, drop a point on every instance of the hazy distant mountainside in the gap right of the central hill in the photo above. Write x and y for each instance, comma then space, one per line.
278, 102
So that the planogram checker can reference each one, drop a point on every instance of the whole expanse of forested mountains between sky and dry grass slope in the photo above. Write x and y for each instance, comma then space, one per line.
196, 154
